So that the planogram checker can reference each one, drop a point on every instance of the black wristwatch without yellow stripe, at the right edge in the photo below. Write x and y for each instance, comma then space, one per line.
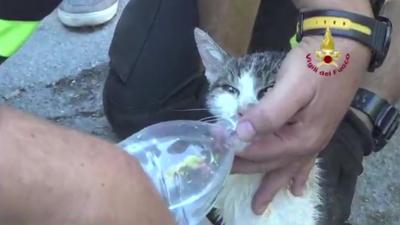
384, 116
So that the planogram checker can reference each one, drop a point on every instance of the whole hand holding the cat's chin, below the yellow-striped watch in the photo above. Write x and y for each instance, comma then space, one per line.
297, 118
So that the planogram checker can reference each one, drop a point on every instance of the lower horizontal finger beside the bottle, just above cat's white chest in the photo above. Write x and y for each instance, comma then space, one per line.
248, 167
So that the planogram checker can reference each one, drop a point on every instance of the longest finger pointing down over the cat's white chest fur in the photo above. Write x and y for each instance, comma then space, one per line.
270, 185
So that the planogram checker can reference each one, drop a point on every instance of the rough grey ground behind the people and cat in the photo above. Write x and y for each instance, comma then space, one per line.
62, 80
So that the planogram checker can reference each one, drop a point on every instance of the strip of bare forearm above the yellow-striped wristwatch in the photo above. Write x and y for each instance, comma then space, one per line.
362, 7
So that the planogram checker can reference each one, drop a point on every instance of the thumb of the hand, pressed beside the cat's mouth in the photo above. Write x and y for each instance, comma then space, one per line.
275, 109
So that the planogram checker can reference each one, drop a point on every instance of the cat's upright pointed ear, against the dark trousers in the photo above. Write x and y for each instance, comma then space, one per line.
212, 55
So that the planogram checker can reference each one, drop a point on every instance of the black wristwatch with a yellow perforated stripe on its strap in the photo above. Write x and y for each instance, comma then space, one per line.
374, 33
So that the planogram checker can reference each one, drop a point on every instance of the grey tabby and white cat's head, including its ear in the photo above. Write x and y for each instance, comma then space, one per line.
236, 84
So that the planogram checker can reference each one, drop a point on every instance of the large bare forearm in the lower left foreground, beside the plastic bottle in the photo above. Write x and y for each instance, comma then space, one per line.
51, 175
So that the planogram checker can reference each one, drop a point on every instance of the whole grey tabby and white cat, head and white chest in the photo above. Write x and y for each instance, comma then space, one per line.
235, 85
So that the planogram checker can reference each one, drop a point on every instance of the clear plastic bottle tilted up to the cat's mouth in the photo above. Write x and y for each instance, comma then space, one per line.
187, 162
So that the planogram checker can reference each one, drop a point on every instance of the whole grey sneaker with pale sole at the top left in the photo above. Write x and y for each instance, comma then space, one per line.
80, 13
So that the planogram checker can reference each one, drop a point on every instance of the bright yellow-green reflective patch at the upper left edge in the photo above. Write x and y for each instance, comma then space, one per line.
13, 35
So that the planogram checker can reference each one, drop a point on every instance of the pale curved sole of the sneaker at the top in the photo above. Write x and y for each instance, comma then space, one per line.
88, 19
